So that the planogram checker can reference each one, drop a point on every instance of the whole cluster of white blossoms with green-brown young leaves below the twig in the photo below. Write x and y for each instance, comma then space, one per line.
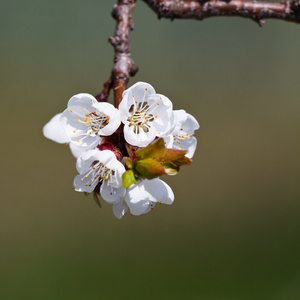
122, 152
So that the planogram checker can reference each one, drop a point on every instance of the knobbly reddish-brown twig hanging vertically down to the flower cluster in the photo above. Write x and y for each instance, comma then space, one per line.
124, 66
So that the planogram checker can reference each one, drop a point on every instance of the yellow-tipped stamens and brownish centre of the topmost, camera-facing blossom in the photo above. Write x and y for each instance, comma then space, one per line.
140, 117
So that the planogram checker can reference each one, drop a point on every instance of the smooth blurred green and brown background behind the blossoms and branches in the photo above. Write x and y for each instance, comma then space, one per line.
233, 231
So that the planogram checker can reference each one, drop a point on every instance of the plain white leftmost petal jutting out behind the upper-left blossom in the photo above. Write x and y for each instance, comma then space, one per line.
54, 131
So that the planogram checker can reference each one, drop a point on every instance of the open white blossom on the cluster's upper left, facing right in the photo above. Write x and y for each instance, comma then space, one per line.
86, 120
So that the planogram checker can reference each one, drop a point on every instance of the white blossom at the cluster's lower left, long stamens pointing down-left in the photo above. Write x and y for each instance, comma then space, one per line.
100, 167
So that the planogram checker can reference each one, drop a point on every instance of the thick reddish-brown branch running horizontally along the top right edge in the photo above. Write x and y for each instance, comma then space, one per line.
199, 10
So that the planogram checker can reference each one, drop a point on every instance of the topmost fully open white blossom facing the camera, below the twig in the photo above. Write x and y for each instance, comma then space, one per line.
145, 114
